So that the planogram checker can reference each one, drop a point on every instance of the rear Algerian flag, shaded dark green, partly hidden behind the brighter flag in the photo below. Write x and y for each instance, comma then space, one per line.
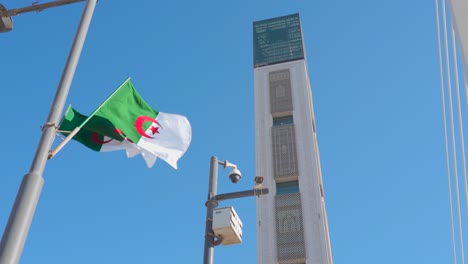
91, 135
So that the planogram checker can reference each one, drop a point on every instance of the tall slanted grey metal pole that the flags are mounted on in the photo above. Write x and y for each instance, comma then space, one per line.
14, 236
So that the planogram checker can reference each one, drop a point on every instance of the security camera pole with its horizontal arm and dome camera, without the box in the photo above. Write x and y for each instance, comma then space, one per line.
214, 199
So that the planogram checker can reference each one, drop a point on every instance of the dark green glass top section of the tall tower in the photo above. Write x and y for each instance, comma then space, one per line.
277, 40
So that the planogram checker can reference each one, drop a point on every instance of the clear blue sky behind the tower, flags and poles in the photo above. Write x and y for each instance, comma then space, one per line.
374, 73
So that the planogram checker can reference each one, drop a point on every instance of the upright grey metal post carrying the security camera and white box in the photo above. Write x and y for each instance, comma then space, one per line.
211, 204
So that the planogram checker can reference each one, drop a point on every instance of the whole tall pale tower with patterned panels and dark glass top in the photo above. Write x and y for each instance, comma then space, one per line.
292, 222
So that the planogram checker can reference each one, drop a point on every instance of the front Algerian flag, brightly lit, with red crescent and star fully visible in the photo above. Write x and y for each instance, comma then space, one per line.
125, 116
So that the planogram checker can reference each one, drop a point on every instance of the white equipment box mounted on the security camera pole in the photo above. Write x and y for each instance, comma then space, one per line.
227, 226
